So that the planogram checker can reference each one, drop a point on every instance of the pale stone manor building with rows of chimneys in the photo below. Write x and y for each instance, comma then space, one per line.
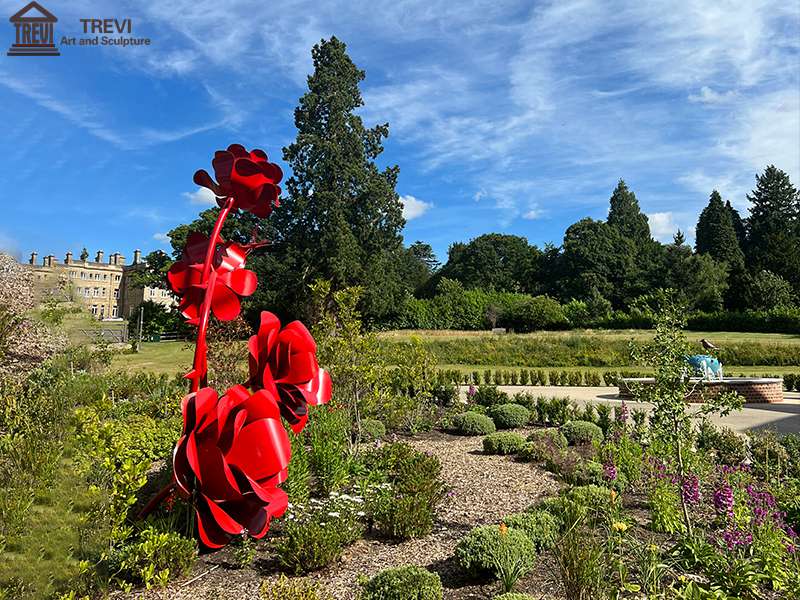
104, 286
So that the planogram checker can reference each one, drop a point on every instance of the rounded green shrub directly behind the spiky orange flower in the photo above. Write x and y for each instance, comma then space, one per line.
478, 551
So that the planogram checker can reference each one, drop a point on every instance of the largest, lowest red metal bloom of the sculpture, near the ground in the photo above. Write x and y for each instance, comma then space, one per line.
233, 454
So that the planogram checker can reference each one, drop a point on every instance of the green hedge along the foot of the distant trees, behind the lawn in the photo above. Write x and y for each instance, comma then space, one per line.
476, 310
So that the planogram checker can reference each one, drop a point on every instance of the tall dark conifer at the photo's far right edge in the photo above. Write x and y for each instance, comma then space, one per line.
773, 228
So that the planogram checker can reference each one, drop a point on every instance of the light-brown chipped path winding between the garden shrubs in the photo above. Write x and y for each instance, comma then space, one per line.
484, 489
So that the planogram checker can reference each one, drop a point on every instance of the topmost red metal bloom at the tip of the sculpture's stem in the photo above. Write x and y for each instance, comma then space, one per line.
248, 177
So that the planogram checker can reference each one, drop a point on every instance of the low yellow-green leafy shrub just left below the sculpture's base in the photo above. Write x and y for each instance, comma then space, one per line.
154, 557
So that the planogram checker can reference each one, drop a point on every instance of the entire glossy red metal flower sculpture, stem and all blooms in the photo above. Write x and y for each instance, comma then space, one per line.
234, 451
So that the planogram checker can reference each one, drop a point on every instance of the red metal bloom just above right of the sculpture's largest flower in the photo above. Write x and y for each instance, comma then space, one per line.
284, 362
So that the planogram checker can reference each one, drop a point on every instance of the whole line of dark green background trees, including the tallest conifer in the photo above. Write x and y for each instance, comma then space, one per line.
340, 220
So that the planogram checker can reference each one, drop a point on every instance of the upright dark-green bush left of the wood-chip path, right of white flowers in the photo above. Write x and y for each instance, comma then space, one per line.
404, 506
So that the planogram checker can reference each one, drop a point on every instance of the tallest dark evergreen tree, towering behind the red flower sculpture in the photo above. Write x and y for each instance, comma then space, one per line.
342, 219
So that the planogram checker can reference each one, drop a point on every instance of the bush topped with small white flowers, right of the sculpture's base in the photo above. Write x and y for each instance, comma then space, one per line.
315, 535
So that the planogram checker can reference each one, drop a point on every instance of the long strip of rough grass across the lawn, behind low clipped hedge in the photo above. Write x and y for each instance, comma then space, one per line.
579, 350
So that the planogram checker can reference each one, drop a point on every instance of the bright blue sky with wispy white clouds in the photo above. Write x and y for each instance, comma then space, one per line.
516, 117
